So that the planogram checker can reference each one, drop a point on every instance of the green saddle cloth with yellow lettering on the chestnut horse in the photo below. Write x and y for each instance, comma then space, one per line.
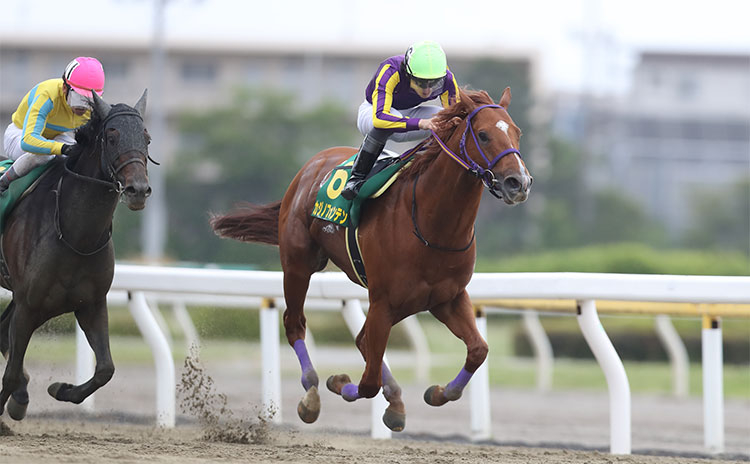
331, 206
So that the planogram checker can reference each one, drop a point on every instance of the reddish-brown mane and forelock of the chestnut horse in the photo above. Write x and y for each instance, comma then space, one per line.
460, 109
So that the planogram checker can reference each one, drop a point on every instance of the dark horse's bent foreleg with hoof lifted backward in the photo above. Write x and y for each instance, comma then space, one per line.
93, 322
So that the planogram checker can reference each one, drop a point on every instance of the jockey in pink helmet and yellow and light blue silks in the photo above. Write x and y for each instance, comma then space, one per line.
44, 123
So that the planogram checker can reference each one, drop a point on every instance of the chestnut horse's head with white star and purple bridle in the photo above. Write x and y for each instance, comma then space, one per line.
489, 145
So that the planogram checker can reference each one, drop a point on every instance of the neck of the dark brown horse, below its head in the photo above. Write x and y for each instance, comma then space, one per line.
86, 207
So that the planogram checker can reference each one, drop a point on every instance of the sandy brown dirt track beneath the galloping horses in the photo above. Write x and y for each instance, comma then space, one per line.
528, 427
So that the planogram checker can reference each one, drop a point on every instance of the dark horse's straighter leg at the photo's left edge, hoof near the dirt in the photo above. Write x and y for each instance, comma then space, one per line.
15, 330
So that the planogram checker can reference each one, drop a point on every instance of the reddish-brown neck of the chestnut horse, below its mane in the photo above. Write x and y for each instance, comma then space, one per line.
453, 196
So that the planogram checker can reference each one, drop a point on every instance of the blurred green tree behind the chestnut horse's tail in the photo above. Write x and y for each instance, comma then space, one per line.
247, 151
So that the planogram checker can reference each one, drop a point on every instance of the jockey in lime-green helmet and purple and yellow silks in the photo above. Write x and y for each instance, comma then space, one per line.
392, 108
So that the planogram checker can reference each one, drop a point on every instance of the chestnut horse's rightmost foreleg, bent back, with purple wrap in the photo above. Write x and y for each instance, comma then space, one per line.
458, 316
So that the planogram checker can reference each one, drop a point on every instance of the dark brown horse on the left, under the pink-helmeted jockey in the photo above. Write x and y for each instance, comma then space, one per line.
57, 247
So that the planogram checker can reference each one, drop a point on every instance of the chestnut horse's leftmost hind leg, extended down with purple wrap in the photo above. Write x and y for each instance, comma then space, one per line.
295, 289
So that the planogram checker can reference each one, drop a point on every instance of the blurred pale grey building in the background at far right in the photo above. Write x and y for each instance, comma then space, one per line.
682, 130
